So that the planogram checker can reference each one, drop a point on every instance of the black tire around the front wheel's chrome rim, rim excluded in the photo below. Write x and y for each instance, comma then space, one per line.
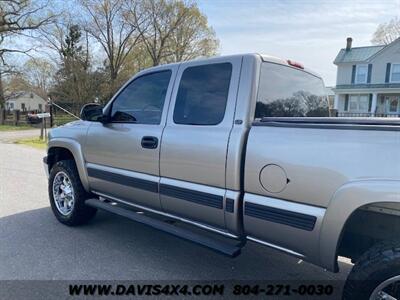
80, 213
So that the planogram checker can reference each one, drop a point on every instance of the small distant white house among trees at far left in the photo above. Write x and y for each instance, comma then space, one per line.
25, 101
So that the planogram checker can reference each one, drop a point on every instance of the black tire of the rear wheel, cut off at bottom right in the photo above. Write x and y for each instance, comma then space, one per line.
378, 264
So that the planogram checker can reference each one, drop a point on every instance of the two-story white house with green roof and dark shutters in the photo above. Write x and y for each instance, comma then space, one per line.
368, 80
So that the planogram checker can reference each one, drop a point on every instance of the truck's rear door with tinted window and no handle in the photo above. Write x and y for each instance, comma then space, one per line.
195, 140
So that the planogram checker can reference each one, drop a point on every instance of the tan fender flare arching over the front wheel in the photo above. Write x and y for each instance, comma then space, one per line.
64, 148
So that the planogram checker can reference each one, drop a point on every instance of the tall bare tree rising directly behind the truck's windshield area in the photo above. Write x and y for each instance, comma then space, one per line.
106, 24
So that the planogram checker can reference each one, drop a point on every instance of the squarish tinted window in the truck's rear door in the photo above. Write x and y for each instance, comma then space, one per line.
202, 94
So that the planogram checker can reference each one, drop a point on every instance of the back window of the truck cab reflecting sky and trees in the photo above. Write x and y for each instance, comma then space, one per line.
288, 92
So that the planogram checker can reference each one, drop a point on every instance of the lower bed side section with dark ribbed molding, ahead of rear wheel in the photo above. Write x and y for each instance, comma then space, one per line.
280, 223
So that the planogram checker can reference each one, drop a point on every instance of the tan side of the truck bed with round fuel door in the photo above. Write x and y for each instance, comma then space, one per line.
296, 166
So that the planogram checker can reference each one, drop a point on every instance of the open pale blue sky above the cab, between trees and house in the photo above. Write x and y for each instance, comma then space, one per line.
311, 32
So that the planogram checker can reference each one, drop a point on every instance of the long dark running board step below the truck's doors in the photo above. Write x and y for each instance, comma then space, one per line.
218, 246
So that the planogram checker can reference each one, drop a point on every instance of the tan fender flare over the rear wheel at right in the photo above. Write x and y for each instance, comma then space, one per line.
346, 201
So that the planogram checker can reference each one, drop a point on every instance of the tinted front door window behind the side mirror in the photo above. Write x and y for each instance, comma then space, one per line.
142, 101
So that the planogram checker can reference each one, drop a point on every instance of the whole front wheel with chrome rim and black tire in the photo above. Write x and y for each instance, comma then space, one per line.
67, 195
